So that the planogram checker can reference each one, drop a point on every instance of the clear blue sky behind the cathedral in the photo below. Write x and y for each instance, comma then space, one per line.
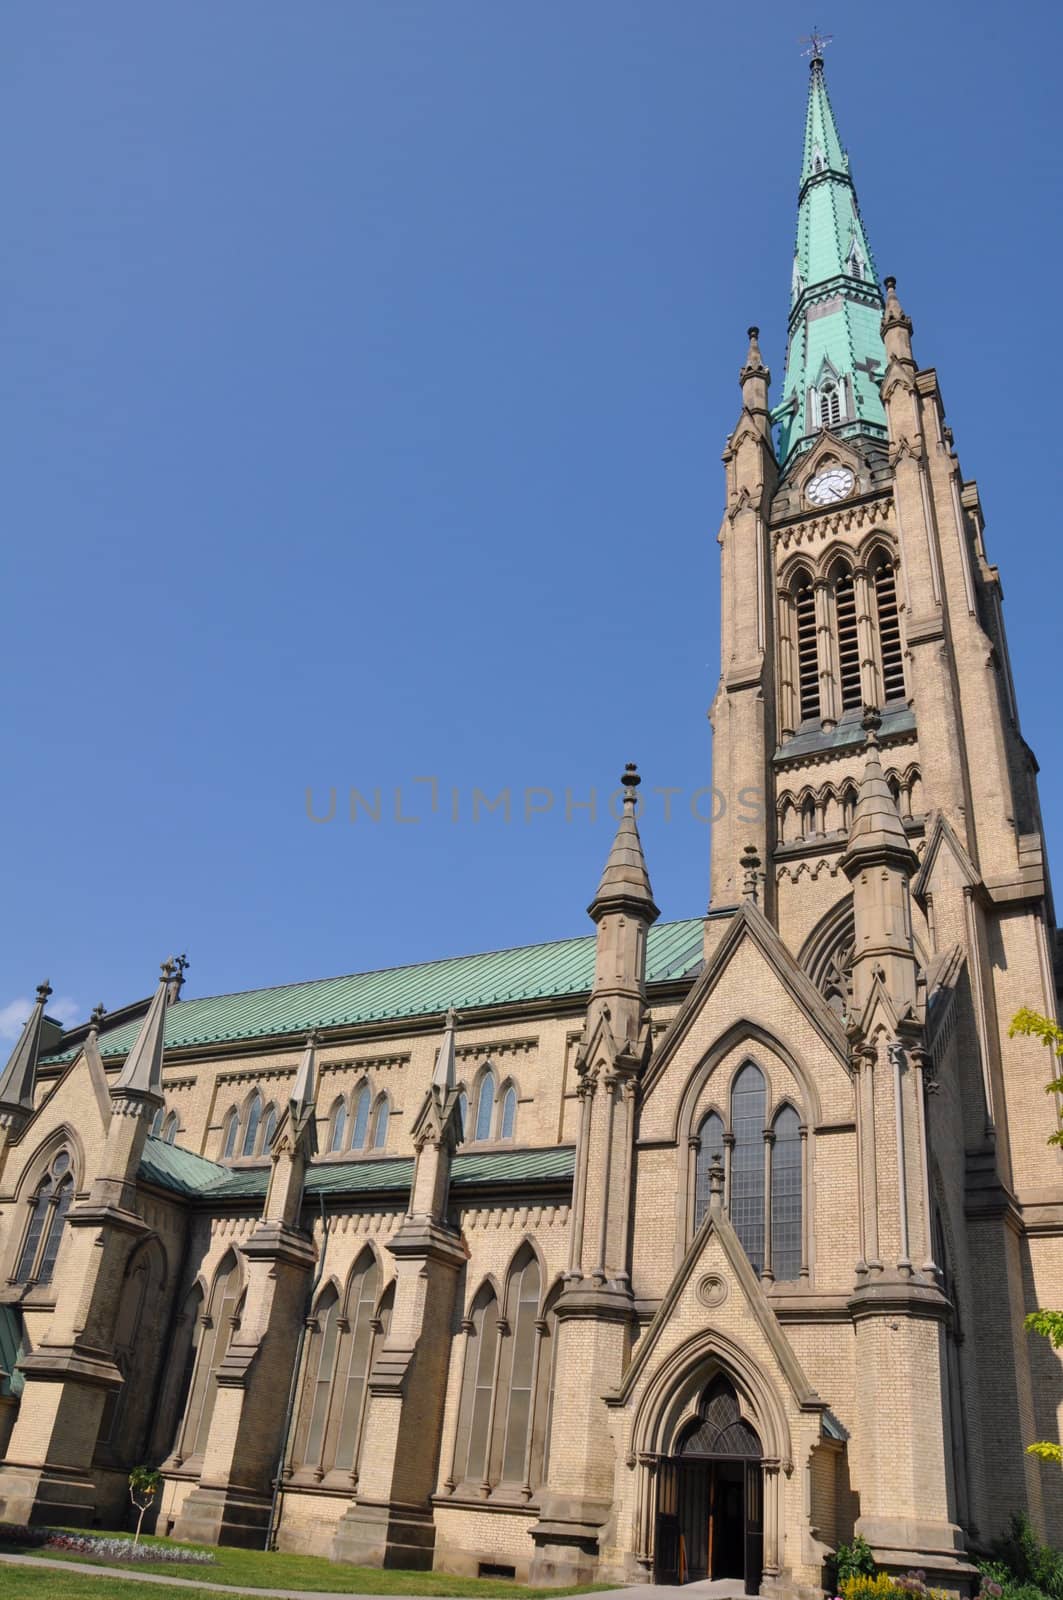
367, 370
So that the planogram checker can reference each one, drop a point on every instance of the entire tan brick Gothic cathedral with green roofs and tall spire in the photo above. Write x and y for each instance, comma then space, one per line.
668, 1252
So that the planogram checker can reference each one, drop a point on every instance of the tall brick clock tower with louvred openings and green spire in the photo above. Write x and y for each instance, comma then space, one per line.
867, 703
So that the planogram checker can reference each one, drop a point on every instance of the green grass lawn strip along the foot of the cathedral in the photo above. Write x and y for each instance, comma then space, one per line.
254, 1570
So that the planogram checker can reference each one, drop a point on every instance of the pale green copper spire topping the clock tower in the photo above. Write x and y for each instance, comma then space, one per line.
835, 358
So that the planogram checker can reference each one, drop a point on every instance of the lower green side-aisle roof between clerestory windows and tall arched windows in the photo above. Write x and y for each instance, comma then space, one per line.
169, 1167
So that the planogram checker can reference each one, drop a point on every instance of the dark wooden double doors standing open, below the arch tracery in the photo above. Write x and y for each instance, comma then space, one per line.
710, 1521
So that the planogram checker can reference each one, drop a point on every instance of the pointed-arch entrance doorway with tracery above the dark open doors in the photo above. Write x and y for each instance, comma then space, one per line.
710, 1498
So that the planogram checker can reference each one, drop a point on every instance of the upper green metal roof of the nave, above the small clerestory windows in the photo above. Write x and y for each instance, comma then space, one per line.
531, 972
